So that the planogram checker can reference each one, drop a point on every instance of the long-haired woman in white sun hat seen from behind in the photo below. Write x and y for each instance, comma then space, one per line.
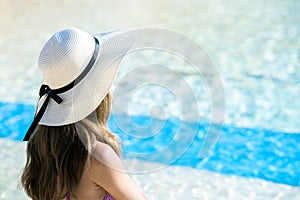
70, 152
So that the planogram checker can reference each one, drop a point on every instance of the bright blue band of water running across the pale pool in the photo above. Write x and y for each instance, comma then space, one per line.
269, 155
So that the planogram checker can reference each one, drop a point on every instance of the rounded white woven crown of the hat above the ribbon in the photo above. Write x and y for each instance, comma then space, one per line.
64, 56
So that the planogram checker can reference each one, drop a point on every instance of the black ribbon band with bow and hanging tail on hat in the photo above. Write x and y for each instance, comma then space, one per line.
53, 94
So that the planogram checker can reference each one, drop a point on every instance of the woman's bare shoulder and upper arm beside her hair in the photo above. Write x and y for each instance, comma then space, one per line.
107, 171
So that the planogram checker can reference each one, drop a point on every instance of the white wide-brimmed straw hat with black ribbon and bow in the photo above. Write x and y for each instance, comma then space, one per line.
78, 70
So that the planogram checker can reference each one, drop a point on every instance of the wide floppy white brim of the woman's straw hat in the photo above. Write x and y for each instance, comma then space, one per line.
86, 95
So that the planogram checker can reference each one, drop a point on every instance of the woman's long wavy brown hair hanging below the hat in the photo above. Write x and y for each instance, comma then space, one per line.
58, 156
